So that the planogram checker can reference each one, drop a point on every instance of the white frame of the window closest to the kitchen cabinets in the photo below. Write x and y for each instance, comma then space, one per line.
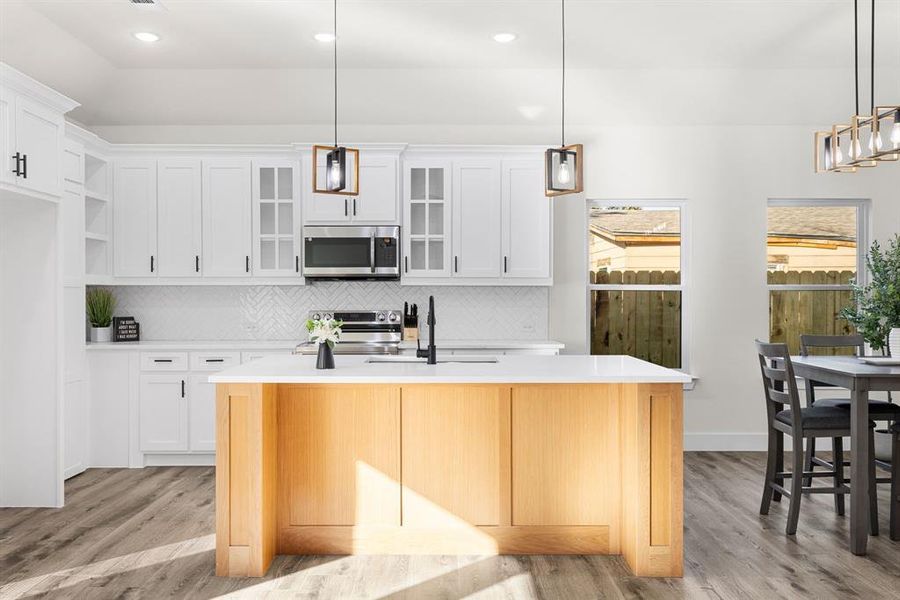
685, 255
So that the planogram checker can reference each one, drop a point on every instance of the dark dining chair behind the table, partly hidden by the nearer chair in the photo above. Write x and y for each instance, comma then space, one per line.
879, 410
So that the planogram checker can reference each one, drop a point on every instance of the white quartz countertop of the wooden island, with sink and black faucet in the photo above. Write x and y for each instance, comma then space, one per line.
507, 369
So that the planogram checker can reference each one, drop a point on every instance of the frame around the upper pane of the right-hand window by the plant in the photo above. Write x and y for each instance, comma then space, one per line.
863, 208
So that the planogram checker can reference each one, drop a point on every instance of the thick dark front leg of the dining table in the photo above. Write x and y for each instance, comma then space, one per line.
859, 468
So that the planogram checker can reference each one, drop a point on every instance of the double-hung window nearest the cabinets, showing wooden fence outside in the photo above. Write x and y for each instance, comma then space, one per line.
637, 276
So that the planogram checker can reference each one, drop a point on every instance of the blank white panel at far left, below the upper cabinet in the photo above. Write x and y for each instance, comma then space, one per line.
30, 417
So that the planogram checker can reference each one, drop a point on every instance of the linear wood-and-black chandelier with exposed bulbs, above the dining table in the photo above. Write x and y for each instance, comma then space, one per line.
841, 150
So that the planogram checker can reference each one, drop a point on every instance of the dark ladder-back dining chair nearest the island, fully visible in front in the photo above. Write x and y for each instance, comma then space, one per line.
802, 424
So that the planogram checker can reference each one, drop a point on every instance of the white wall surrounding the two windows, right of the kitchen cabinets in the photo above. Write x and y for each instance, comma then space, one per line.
726, 174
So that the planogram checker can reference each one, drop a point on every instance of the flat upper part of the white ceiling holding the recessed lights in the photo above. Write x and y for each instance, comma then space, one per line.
216, 34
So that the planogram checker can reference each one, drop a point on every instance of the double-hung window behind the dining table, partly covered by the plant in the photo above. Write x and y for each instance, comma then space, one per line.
814, 250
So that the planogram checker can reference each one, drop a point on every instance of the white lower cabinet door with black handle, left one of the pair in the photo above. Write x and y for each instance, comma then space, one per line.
163, 412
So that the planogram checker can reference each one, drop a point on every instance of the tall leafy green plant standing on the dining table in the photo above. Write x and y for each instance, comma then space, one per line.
876, 306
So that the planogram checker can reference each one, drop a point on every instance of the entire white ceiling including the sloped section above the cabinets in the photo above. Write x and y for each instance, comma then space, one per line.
433, 61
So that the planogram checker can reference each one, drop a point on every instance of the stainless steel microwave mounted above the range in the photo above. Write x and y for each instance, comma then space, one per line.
351, 252
